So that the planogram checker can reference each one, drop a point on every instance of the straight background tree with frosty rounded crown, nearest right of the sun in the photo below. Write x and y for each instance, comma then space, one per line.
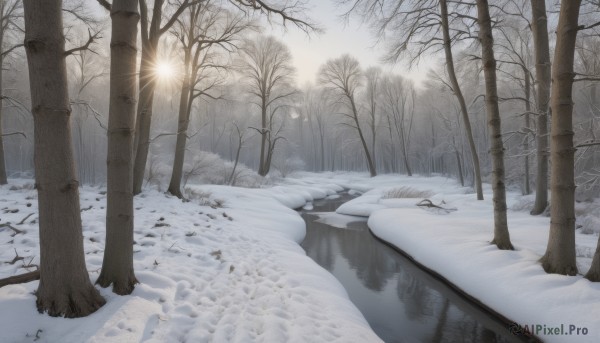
268, 68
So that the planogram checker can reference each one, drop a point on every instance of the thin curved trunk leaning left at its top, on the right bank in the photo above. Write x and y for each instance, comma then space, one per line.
459, 96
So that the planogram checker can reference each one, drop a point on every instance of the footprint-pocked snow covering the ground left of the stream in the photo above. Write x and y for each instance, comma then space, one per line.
224, 267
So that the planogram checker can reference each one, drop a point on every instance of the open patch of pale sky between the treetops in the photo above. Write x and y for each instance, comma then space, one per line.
353, 38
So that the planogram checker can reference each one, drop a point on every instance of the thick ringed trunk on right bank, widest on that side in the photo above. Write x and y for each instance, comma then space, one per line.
560, 253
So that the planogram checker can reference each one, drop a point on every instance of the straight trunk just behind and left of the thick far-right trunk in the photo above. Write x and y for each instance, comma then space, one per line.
539, 25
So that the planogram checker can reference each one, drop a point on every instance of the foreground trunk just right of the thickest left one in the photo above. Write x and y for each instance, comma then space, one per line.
117, 266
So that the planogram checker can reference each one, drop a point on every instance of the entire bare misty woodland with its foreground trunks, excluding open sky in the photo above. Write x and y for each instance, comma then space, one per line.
132, 96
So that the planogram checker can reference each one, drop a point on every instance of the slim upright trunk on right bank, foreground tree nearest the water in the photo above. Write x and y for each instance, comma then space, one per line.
501, 235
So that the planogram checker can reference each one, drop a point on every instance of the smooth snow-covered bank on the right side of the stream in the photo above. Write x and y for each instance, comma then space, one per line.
456, 245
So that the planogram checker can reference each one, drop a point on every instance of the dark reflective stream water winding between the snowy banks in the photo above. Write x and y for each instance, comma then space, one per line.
401, 302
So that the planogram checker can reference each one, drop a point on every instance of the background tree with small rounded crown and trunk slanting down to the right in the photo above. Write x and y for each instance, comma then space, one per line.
344, 76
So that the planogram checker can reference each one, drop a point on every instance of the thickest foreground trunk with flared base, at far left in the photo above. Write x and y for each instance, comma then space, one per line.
65, 288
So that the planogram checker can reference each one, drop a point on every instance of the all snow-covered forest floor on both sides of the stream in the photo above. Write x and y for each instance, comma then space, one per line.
226, 266
